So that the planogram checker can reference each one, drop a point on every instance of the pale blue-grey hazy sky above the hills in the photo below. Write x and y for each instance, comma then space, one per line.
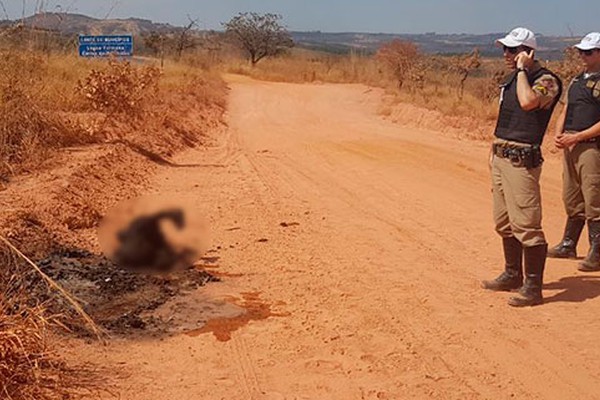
548, 17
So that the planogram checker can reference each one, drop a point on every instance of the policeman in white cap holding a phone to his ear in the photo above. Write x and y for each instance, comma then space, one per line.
528, 97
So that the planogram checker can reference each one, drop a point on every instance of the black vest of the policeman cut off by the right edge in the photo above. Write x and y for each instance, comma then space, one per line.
583, 109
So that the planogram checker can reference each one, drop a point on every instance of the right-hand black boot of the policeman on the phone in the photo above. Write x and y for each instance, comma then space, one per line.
530, 293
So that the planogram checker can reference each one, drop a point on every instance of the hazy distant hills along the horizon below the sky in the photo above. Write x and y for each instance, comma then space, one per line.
343, 42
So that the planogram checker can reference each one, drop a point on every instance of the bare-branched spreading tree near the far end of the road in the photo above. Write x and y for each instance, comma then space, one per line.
259, 35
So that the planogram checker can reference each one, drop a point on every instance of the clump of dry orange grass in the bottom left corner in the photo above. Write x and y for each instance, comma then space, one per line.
30, 368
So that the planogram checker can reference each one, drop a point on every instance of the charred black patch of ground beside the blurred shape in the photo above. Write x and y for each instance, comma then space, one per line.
118, 300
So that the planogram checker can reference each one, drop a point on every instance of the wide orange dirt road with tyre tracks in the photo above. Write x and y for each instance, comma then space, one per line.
351, 251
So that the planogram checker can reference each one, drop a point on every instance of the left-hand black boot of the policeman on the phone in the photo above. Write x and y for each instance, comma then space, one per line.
512, 277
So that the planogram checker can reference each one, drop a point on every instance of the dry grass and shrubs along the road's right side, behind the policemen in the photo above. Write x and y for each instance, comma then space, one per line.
461, 86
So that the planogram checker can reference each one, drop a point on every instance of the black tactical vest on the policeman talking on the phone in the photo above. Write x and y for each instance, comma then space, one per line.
516, 124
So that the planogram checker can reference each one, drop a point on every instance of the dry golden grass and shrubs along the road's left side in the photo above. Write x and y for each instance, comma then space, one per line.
51, 101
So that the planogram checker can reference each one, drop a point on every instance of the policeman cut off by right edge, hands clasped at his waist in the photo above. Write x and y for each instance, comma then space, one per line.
578, 134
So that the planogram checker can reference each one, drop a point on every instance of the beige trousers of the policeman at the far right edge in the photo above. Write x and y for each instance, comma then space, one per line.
581, 181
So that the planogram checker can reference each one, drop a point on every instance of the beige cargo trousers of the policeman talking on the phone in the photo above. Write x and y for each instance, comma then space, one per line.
517, 202
